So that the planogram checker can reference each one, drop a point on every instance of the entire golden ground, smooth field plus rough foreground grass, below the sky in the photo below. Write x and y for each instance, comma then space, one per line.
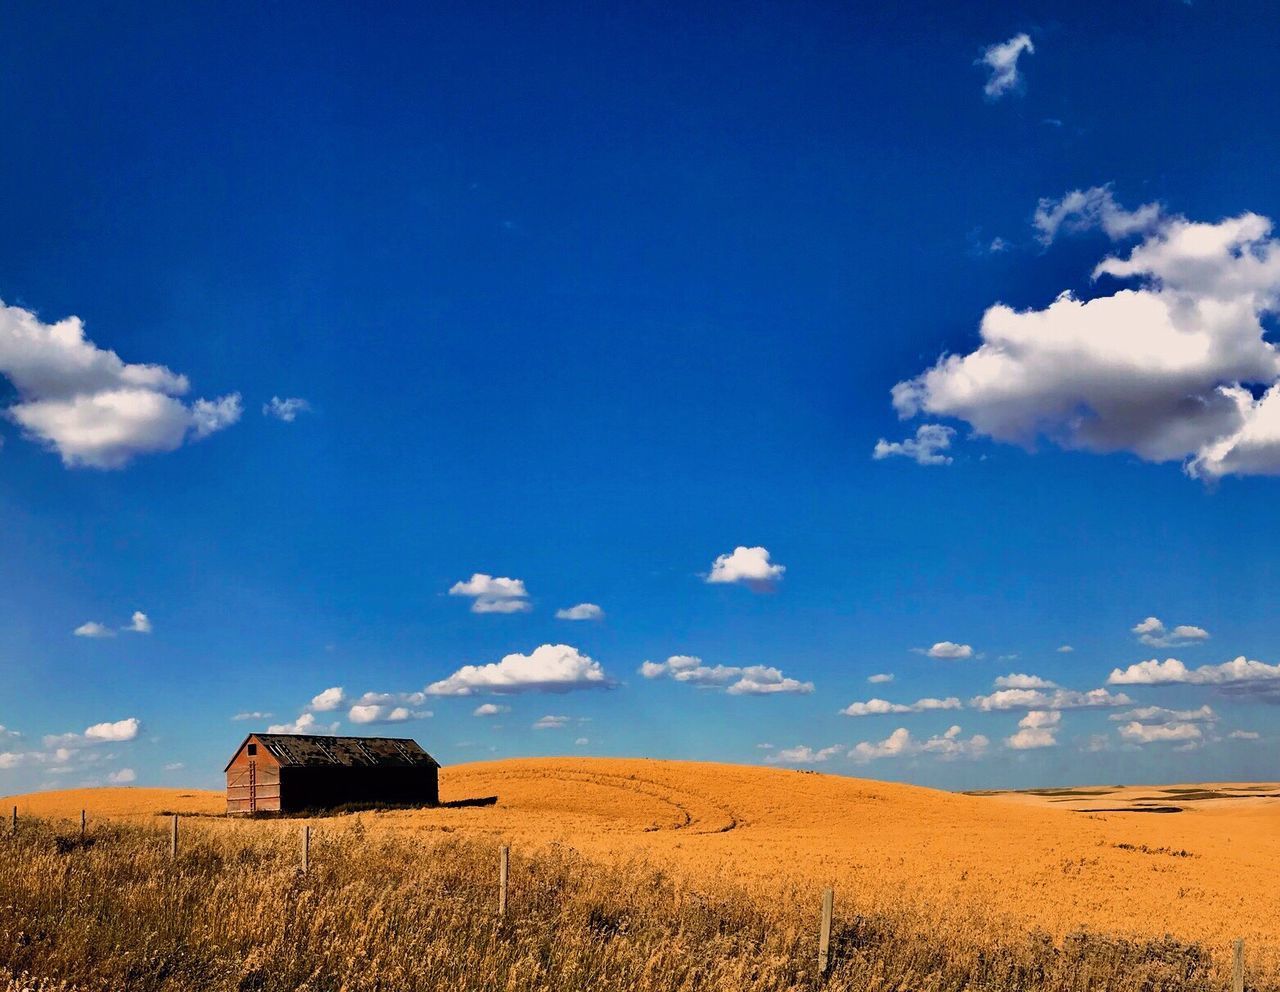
648, 875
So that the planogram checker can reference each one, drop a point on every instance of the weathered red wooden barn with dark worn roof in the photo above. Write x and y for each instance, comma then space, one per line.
295, 772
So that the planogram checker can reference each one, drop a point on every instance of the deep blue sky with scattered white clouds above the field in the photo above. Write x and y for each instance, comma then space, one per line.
883, 391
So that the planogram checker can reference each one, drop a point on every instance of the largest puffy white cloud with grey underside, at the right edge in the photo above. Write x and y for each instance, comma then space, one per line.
1167, 371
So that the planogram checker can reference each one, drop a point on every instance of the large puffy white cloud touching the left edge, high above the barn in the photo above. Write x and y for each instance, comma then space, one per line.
90, 406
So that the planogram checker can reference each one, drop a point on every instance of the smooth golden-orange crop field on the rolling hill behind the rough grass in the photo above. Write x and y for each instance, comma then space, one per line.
1052, 860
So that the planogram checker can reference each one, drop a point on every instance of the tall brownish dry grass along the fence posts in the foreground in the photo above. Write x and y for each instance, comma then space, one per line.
387, 912
